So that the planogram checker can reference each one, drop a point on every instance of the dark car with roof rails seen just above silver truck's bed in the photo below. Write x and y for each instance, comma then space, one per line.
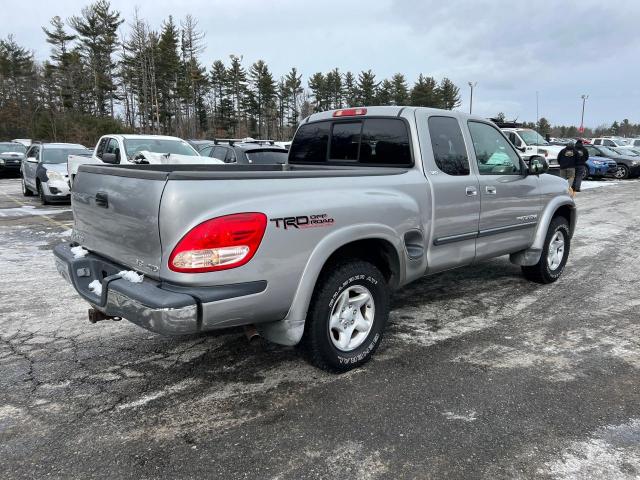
246, 153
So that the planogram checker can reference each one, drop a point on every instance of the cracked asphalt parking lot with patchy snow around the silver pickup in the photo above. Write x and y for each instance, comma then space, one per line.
481, 375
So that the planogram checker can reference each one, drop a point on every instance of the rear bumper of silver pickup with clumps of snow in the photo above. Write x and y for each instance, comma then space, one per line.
156, 306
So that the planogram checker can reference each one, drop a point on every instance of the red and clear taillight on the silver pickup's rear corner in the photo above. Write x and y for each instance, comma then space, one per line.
219, 244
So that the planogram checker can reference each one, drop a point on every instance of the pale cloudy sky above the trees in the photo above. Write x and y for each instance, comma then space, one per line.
512, 49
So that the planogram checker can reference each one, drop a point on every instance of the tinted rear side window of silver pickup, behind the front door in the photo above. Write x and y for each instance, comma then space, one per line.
449, 151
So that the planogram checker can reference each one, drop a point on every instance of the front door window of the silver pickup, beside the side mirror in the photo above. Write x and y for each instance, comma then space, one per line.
494, 154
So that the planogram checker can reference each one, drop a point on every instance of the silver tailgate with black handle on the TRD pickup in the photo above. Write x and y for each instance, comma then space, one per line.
116, 215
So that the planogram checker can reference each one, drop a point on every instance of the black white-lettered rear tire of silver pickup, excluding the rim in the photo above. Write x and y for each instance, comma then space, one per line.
316, 340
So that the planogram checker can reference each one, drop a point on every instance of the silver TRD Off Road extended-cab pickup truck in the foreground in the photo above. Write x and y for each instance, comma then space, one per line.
308, 252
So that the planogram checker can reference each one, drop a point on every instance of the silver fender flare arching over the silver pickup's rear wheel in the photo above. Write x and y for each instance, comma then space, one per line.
289, 330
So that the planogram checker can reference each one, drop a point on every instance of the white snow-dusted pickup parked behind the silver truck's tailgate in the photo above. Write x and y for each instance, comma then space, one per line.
138, 149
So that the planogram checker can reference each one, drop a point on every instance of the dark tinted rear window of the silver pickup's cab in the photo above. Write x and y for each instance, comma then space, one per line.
377, 142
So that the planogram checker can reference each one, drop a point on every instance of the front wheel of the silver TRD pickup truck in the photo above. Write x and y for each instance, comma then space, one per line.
554, 254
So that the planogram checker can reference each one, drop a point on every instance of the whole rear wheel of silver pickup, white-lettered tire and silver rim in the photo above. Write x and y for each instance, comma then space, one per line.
347, 316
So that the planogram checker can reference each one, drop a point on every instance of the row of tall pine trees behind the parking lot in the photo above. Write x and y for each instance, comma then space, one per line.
103, 76
